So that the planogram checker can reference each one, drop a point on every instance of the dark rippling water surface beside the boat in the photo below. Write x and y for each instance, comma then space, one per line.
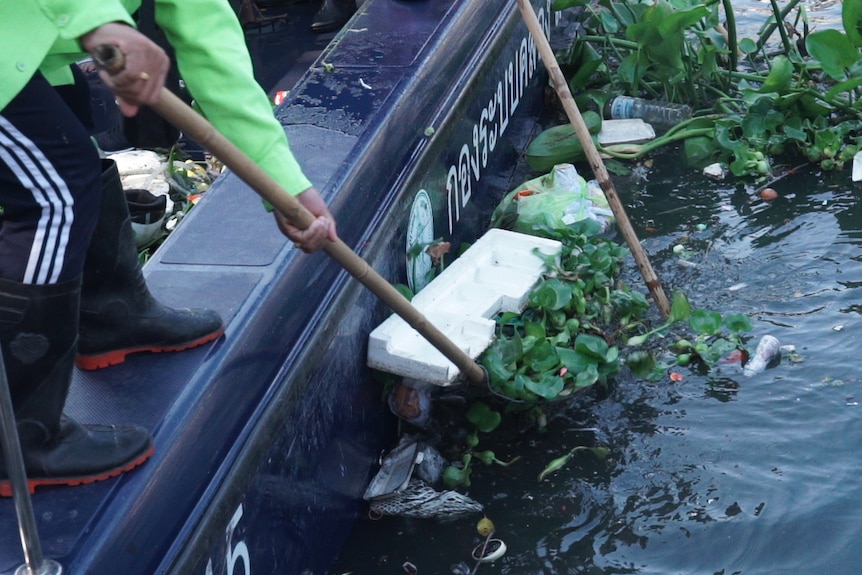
717, 473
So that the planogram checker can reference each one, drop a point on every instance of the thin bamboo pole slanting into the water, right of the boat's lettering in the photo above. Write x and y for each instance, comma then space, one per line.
562, 88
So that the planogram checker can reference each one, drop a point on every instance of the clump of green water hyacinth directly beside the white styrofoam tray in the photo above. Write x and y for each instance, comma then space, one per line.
564, 340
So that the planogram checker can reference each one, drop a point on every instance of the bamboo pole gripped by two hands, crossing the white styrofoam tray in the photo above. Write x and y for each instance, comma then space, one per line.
178, 113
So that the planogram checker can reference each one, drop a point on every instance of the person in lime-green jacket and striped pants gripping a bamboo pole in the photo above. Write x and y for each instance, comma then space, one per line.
51, 183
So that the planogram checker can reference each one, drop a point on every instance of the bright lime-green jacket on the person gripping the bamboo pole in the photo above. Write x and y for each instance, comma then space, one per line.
211, 54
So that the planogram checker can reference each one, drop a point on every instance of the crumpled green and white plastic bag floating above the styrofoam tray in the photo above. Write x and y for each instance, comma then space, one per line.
553, 201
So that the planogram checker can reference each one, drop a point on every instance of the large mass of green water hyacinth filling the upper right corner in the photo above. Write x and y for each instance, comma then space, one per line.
788, 94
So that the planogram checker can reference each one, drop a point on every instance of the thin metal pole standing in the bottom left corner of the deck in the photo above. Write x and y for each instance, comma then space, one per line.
34, 564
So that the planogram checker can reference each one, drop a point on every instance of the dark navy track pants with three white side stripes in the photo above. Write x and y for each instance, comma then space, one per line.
50, 181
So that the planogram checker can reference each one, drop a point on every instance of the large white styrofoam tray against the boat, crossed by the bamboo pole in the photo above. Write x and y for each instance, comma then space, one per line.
494, 275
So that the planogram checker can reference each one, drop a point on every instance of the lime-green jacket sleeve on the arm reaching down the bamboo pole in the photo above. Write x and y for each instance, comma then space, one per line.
215, 64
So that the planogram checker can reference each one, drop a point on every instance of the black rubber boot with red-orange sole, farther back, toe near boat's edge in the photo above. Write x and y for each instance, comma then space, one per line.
119, 315
